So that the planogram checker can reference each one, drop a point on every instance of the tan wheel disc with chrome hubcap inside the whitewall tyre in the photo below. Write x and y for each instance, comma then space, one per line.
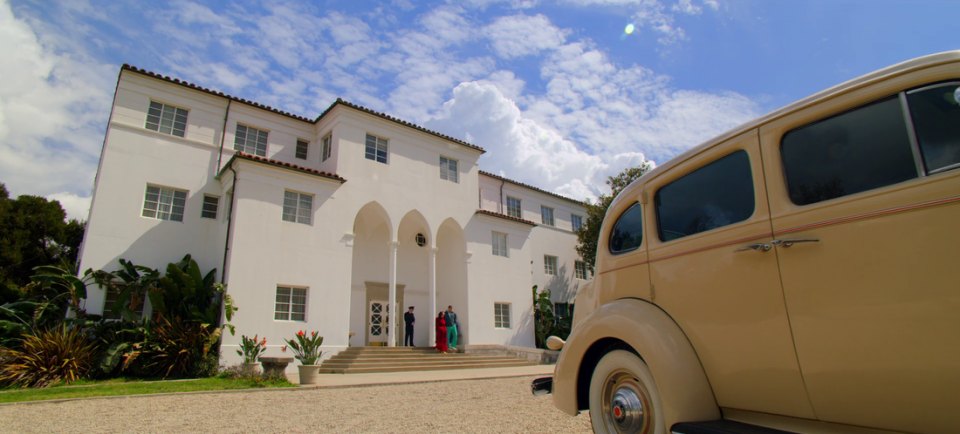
625, 404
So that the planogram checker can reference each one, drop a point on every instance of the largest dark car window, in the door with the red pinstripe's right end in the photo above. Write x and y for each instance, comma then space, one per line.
856, 151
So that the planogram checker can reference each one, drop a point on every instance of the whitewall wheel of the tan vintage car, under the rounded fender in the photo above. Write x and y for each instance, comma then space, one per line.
624, 397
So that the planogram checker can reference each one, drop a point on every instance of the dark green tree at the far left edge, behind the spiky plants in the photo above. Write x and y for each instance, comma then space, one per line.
33, 232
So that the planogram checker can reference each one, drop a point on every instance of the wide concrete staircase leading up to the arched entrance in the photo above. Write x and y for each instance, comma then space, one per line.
355, 360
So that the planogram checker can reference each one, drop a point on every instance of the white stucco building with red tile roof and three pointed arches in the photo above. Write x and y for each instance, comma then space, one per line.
324, 224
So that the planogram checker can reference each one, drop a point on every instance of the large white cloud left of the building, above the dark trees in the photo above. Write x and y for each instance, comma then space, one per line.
53, 107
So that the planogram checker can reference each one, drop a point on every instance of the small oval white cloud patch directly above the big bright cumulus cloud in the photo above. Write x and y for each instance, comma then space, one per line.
523, 35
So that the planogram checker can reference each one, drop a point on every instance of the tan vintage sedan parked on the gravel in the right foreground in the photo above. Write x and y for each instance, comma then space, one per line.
799, 273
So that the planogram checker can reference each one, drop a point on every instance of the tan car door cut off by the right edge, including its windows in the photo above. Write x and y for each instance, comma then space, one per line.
864, 195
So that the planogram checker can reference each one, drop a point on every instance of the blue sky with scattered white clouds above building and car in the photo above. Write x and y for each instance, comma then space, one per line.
561, 94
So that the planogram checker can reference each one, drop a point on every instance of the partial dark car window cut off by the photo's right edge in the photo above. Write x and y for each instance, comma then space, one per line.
935, 111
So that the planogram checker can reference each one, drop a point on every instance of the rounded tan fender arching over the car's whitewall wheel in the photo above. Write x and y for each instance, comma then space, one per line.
657, 339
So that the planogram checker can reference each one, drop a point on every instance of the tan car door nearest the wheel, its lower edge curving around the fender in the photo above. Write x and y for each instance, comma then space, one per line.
713, 271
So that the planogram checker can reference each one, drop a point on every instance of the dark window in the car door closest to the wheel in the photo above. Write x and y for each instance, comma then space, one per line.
718, 194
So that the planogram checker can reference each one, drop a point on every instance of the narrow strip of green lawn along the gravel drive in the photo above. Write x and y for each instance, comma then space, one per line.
115, 387
